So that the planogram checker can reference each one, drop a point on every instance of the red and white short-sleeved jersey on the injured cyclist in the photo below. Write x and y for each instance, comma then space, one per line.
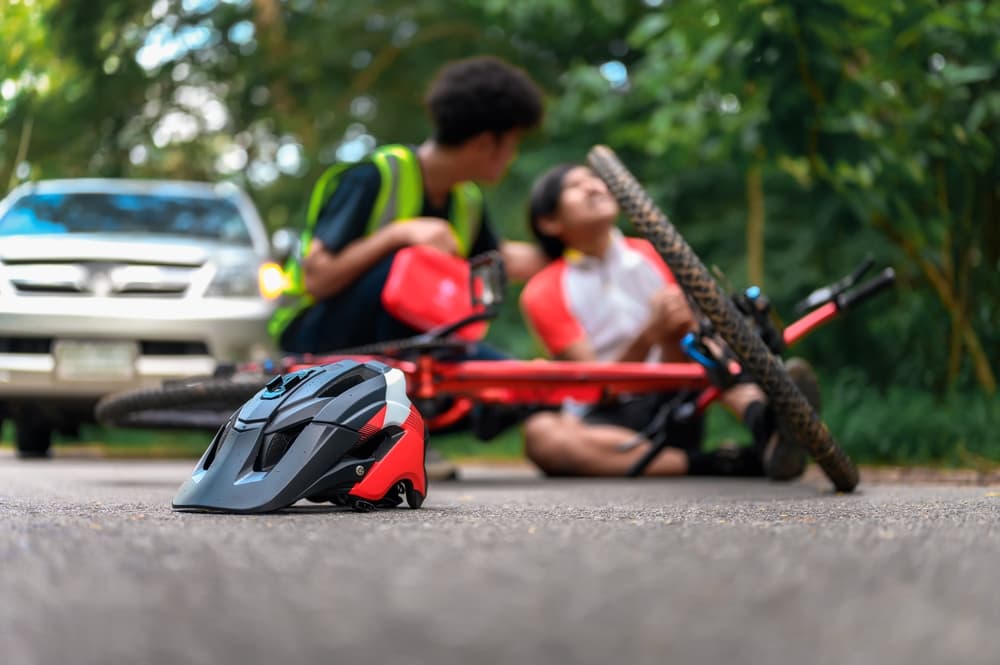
602, 300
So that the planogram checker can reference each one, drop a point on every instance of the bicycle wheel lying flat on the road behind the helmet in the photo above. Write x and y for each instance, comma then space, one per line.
203, 404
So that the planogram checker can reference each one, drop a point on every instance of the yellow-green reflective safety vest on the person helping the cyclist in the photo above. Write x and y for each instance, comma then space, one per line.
400, 197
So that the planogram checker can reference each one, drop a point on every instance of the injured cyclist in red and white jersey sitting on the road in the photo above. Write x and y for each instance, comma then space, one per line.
609, 297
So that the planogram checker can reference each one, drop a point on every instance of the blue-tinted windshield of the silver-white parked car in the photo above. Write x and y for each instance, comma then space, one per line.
34, 214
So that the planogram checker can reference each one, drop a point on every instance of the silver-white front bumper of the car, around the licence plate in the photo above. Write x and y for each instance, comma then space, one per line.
169, 338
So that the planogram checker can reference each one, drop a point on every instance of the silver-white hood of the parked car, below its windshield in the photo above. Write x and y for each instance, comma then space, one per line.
126, 248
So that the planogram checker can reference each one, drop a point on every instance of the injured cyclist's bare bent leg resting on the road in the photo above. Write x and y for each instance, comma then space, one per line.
562, 444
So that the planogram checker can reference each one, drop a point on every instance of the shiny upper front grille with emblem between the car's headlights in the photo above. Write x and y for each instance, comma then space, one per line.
100, 279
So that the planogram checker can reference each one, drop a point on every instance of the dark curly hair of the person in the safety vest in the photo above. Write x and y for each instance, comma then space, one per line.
482, 94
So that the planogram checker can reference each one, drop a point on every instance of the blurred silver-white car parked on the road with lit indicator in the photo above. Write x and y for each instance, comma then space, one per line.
110, 284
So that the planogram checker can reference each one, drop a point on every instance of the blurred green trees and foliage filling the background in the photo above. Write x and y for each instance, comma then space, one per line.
787, 140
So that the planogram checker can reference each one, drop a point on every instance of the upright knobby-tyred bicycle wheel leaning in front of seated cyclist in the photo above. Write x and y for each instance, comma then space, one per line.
789, 404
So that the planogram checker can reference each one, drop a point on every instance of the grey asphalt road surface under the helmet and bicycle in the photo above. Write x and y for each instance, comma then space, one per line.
502, 567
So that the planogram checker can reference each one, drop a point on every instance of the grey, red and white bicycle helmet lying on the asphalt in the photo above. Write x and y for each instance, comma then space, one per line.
344, 432
